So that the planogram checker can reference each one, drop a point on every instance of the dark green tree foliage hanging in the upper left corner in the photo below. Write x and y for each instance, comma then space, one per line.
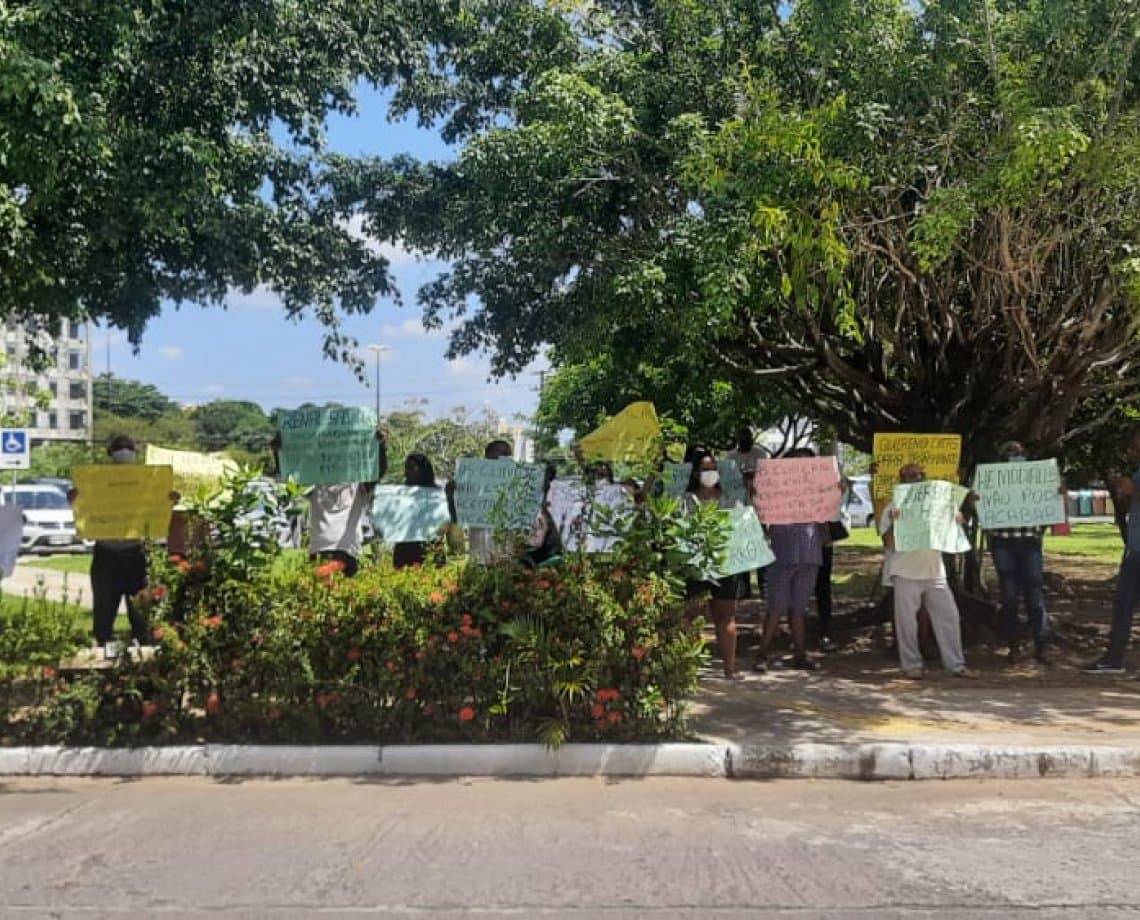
175, 150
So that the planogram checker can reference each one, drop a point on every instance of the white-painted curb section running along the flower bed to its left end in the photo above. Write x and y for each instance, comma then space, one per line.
674, 760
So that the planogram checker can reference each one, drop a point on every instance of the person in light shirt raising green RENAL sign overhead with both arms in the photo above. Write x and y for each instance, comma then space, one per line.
337, 517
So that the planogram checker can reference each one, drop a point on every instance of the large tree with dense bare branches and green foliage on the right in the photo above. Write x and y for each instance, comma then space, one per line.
906, 216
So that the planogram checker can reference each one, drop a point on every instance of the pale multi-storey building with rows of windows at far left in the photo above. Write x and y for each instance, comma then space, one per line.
67, 412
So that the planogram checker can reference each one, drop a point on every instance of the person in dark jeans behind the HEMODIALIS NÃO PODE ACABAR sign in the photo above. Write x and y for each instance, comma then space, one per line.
1017, 556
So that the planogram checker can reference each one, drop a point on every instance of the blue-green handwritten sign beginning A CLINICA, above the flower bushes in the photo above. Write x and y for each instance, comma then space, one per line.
498, 493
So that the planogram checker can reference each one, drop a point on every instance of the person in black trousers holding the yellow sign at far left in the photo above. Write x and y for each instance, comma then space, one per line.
118, 569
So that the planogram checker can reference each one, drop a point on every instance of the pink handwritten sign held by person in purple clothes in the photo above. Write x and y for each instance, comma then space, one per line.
799, 491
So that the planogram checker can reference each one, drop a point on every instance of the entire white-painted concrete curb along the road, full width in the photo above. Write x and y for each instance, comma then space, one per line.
881, 761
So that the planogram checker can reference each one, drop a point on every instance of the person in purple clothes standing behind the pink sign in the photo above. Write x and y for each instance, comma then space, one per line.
791, 581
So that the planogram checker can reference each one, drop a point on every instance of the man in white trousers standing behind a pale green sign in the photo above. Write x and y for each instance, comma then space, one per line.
919, 580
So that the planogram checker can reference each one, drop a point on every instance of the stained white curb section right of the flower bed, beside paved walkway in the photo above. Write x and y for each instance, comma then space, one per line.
899, 761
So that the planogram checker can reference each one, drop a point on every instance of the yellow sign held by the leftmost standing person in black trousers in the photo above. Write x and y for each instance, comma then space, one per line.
123, 502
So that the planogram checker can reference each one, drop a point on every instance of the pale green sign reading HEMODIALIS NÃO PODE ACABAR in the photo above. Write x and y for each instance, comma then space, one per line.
1024, 494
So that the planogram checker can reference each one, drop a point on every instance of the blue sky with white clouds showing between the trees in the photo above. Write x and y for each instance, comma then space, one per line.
251, 352
